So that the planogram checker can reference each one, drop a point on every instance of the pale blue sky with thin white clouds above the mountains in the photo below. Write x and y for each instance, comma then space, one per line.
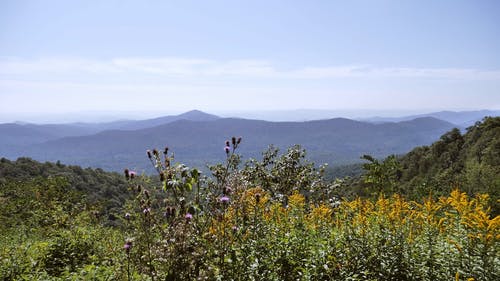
77, 59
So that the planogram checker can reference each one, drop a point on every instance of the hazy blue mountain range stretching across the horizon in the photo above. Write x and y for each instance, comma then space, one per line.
197, 139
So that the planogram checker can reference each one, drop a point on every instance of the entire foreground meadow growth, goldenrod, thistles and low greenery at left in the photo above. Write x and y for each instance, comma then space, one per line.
273, 219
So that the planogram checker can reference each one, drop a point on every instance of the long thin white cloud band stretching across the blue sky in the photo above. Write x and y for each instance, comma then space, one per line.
193, 68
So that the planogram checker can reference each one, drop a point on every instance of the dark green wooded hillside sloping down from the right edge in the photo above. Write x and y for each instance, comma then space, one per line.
469, 162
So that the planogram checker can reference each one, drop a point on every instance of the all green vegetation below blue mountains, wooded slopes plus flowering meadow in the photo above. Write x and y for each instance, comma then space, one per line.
269, 219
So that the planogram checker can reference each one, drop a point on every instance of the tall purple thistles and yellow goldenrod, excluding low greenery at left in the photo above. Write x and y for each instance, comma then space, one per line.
277, 220
